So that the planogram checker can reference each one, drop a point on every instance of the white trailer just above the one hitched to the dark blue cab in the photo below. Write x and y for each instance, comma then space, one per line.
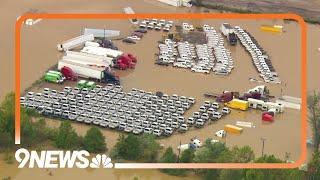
89, 58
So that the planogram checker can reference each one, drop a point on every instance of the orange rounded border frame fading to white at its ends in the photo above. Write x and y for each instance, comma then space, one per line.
295, 17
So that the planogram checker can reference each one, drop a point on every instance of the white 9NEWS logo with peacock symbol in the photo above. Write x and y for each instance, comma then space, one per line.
61, 159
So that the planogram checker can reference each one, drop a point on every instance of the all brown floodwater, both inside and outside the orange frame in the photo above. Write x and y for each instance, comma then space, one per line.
39, 53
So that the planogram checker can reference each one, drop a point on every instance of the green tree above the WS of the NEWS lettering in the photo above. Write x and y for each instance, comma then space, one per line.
66, 137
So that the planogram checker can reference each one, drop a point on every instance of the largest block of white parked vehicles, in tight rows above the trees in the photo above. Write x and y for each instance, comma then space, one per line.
137, 111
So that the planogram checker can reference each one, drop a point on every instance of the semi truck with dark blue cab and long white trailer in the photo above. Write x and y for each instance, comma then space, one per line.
90, 72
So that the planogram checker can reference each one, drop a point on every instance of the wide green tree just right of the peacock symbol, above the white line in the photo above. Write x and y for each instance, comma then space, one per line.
129, 148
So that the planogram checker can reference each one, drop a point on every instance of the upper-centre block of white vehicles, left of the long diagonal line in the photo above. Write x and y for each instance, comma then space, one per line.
200, 57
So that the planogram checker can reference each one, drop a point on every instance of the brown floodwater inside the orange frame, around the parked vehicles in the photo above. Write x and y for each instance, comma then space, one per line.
170, 80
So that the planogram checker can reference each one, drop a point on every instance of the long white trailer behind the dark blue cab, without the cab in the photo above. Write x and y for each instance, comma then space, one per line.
83, 70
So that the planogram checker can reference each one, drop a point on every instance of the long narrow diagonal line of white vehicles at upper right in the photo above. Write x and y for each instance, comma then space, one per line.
259, 58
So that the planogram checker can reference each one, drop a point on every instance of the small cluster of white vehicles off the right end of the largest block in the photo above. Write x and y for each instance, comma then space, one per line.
208, 111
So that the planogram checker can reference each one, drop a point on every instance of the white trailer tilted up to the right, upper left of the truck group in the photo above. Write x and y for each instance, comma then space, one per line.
75, 42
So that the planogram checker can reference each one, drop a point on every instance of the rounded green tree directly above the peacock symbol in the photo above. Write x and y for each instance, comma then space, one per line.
94, 141
